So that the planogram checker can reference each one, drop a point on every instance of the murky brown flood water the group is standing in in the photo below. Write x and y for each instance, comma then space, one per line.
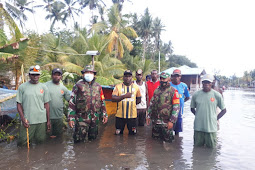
235, 148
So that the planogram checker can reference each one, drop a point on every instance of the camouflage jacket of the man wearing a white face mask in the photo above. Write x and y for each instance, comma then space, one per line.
86, 99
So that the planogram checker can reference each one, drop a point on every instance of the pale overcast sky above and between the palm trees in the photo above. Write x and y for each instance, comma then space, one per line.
216, 35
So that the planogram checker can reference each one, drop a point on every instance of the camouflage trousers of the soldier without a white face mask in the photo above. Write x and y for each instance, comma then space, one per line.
160, 131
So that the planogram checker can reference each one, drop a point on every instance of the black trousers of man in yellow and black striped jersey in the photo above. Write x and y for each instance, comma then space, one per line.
120, 123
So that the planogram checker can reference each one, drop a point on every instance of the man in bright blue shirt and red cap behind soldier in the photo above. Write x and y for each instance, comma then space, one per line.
183, 95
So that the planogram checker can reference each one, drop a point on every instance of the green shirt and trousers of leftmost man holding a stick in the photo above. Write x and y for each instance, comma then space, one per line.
32, 97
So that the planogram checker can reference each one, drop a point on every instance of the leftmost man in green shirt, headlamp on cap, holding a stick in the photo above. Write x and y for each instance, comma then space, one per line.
33, 107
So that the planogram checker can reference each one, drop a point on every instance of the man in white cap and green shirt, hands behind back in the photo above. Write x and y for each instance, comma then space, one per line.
203, 106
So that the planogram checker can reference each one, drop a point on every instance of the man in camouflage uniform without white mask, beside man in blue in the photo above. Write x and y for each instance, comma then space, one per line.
163, 110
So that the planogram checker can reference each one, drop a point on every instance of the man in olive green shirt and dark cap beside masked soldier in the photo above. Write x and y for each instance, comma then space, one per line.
57, 92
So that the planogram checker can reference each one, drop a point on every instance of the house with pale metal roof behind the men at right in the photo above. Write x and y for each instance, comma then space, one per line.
190, 76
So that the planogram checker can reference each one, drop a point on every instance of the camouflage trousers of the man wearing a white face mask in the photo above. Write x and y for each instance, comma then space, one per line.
84, 125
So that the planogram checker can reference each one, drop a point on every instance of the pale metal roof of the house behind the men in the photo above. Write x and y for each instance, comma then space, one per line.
186, 70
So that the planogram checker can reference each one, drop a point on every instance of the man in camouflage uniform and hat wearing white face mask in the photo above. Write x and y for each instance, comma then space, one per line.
85, 106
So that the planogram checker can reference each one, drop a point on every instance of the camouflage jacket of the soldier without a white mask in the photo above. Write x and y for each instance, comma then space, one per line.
164, 105
